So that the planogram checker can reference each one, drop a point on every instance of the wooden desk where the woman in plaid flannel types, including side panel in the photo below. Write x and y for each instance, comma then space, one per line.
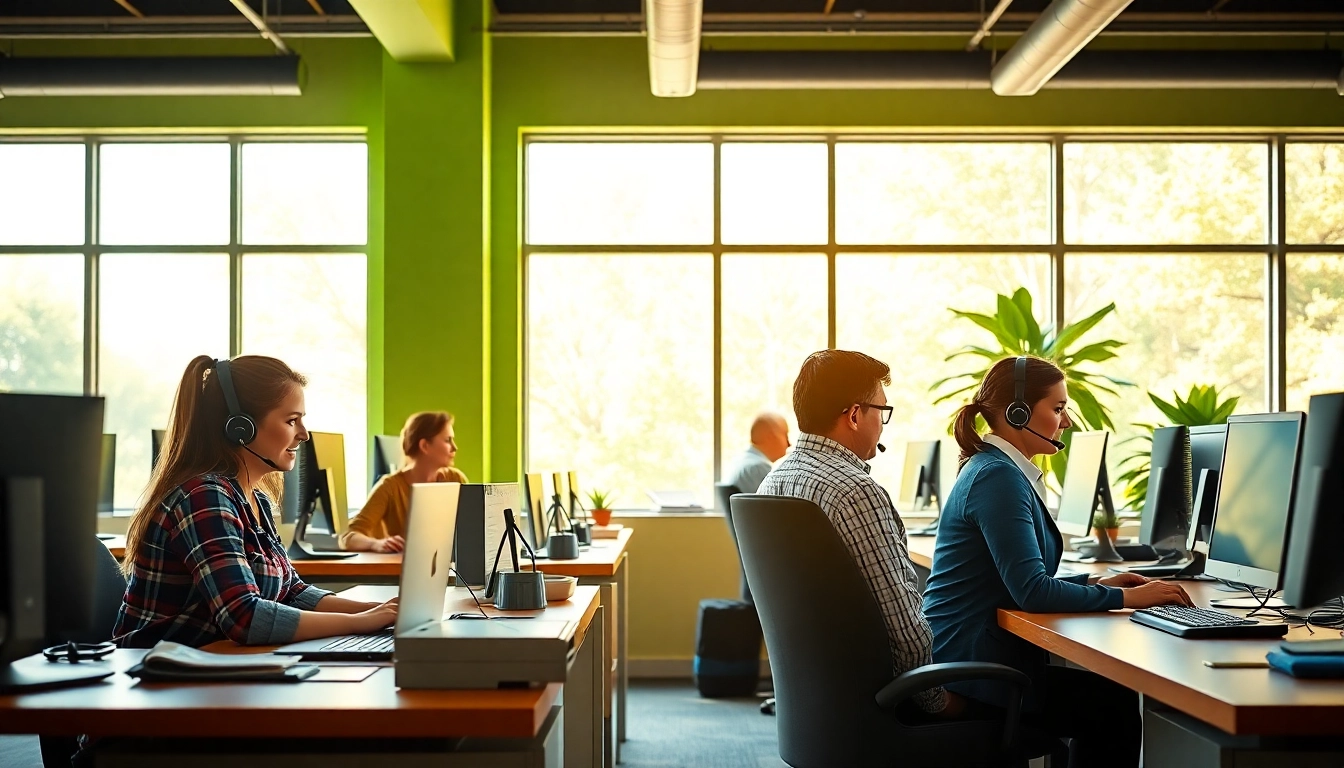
369, 709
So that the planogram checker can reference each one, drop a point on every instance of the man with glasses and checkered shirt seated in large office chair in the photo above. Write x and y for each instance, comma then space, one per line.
841, 406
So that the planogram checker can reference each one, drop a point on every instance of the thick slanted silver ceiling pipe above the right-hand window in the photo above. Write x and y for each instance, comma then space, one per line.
1064, 29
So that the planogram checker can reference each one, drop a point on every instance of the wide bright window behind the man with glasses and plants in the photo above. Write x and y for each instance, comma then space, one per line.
674, 286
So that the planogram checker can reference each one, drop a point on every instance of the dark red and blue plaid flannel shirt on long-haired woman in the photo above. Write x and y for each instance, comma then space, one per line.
212, 567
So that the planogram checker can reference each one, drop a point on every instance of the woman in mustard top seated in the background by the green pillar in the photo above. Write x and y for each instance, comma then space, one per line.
429, 447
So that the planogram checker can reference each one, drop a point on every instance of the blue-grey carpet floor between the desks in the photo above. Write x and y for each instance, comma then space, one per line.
671, 727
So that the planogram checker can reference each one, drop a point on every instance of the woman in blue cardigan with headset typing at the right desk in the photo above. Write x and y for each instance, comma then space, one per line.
999, 548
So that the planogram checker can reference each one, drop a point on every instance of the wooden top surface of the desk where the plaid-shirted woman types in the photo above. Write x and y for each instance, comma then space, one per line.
373, 708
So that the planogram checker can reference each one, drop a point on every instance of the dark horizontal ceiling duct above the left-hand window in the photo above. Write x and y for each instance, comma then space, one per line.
131, 76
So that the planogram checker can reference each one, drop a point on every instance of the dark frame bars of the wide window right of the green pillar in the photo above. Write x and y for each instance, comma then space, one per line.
1276, 249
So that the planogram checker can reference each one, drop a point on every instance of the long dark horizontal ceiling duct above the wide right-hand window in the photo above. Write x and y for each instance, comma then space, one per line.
955, 71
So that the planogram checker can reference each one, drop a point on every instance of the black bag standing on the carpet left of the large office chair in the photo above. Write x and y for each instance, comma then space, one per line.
728, 649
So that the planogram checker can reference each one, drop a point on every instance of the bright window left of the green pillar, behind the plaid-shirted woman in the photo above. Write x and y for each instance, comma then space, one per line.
122, 260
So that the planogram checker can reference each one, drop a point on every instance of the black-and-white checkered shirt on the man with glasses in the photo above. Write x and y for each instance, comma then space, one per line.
833, 477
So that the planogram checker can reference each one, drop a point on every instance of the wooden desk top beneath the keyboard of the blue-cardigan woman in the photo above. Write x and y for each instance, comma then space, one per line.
1173, 670
